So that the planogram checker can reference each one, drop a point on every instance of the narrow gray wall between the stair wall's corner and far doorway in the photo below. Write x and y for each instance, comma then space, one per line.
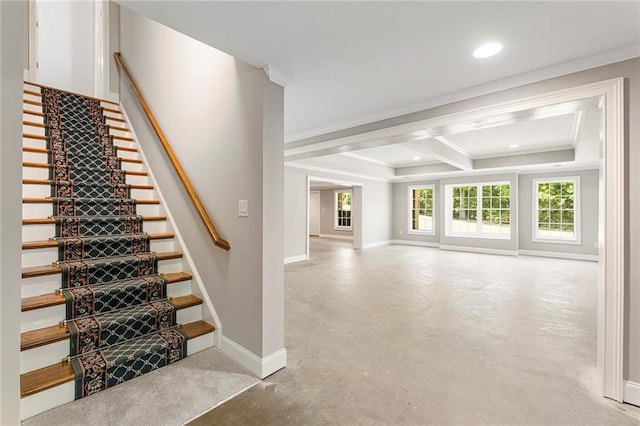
295, 214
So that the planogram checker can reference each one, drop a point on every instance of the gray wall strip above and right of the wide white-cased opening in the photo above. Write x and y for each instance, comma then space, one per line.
630, 71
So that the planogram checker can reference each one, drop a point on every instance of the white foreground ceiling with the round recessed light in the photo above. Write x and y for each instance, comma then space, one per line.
352, 62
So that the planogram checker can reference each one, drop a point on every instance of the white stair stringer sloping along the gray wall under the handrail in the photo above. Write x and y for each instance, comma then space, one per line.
208, 310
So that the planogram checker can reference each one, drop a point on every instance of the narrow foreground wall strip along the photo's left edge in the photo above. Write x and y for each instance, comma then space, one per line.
11, 73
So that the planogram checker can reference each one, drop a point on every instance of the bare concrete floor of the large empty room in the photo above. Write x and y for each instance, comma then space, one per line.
411, 335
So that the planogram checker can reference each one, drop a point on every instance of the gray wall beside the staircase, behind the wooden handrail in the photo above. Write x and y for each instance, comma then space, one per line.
223, 119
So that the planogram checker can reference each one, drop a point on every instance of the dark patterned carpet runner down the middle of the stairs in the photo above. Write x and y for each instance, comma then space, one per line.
119, 319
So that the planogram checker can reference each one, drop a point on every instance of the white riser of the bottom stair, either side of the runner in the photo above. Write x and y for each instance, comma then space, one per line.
62, 394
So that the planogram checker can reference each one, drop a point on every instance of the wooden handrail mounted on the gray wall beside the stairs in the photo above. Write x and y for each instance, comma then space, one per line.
217, 239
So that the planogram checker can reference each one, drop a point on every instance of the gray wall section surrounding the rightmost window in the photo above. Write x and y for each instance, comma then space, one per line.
589, 203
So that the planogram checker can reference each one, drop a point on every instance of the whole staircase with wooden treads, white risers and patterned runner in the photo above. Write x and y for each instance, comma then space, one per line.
64, 232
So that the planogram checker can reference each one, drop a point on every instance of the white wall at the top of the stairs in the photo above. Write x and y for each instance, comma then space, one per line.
66, 45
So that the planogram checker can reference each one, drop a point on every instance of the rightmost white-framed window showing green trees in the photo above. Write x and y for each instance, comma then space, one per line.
555, 210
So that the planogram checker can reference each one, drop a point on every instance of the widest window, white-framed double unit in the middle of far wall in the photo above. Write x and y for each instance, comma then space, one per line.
479, 210
